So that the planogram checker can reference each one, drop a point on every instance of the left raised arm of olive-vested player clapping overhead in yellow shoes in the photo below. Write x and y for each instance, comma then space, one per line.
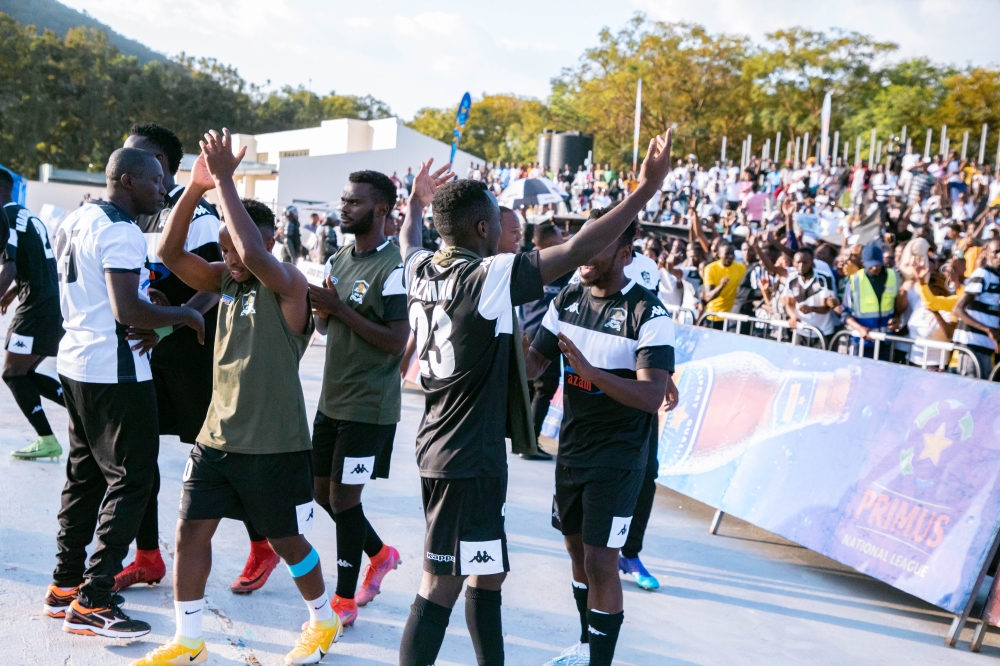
189, 267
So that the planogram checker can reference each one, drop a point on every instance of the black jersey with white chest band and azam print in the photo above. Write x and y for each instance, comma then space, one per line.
619, 334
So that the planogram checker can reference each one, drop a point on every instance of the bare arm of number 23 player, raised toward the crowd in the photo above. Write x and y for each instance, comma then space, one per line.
561, 259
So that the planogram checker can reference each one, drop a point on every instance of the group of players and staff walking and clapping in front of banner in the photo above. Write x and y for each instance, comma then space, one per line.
165, 320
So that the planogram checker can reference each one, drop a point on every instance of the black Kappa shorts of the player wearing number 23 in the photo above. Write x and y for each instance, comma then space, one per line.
465, 533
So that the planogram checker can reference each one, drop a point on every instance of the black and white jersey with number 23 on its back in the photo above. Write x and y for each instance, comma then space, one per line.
463, 317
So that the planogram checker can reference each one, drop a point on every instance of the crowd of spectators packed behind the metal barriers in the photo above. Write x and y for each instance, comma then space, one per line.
901, 247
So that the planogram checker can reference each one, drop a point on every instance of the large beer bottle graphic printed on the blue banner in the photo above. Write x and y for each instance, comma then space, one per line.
733, 401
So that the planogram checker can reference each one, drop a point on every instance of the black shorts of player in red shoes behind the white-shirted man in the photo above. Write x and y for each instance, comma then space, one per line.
182, 400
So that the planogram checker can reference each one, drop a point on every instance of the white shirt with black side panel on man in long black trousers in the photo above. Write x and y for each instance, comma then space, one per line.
98, 238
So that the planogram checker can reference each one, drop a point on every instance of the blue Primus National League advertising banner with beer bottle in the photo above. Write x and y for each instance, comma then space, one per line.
888, 469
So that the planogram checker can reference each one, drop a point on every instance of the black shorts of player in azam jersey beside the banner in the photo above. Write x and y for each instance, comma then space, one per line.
597, 502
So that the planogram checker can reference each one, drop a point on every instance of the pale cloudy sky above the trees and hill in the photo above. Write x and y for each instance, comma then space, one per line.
417, 54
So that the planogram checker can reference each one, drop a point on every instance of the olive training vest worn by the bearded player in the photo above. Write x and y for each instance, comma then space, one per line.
361, 383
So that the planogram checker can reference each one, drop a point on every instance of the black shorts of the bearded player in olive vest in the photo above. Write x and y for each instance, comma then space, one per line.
350, 452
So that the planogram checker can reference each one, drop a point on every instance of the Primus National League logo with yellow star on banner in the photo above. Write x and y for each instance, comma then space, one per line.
901, 513
